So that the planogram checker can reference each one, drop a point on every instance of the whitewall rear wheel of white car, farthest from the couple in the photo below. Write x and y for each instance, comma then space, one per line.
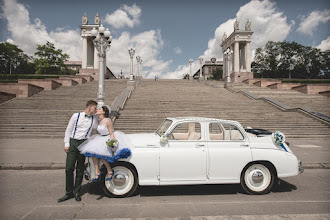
257, 179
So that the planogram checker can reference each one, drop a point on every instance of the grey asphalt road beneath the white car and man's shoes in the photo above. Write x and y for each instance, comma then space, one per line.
33, 194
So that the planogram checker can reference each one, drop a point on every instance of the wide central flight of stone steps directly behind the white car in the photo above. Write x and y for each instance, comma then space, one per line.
151, 102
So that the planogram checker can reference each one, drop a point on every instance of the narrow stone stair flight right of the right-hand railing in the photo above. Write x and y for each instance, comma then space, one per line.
291, 98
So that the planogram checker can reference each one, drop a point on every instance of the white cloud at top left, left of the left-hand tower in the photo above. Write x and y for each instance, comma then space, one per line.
27, 35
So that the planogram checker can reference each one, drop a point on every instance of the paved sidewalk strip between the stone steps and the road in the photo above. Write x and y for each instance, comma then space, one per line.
49, 154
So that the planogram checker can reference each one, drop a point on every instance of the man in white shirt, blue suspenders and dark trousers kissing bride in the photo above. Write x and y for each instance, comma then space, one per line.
77, 131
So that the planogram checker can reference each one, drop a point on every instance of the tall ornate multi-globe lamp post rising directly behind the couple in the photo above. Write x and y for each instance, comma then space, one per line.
101, 39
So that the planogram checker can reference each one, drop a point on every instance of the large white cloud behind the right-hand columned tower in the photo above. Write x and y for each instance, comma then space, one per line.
267, 24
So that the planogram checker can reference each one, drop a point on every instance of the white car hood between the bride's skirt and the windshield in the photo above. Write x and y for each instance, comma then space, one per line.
144, 139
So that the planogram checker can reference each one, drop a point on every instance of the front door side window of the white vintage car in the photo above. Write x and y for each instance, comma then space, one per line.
186, 131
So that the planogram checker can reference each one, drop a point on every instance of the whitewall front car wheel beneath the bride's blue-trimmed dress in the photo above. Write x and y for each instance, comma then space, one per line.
124, 182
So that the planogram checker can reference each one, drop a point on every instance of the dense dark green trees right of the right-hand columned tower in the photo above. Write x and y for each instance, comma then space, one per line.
290, 59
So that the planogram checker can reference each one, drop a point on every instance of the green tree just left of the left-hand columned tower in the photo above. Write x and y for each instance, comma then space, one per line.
50, 60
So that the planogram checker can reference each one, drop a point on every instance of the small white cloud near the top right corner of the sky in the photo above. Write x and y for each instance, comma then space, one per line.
314, 19
